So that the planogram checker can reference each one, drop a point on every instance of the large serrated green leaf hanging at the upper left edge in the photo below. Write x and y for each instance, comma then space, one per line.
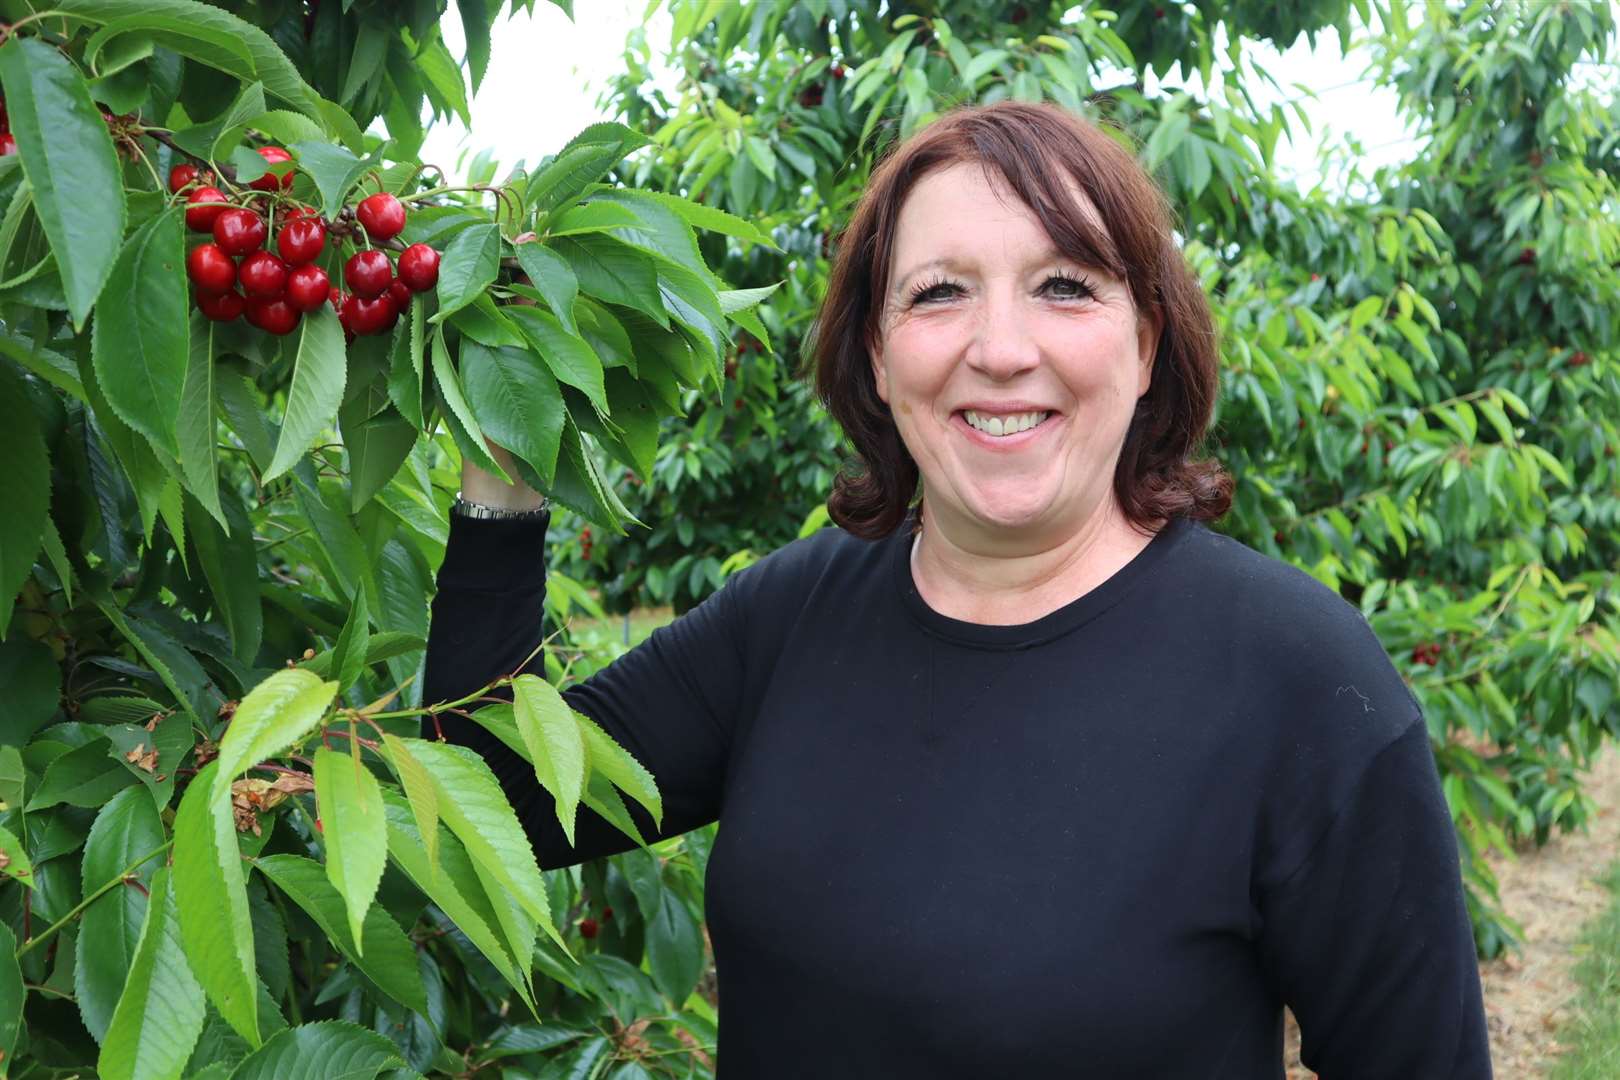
70, 164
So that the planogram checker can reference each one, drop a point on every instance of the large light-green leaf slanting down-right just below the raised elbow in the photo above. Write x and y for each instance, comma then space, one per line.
477, 812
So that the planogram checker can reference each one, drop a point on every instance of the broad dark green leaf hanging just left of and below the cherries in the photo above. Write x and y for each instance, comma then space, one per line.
140, 342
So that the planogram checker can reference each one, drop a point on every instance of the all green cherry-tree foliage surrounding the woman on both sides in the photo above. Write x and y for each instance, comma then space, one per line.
224, 848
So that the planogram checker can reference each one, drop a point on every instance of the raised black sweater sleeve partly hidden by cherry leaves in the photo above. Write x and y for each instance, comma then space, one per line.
668, 702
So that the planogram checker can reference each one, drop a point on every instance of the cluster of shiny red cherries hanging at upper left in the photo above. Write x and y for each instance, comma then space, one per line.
237, 276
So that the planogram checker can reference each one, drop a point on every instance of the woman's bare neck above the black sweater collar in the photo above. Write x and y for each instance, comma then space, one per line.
999, 585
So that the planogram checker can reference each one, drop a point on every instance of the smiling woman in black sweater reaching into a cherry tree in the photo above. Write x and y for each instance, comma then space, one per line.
1044, 778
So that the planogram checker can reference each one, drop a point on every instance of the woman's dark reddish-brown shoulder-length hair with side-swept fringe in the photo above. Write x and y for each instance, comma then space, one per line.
1038, 151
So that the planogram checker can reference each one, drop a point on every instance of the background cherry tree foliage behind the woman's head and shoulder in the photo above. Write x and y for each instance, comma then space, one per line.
1422, 386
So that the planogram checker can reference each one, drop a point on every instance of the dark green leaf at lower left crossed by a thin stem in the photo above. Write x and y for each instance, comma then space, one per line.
126, 830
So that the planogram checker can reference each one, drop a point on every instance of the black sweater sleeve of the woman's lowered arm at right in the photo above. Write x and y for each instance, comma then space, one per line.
1370, 937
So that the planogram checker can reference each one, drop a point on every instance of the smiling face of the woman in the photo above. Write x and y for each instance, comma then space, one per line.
1010, 370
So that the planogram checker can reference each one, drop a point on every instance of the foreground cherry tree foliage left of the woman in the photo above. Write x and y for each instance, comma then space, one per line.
224, 848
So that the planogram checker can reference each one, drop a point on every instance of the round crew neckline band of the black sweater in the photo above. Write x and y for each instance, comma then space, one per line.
1051, 626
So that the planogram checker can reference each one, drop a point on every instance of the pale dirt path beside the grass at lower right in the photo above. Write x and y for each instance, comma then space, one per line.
1554, 893
